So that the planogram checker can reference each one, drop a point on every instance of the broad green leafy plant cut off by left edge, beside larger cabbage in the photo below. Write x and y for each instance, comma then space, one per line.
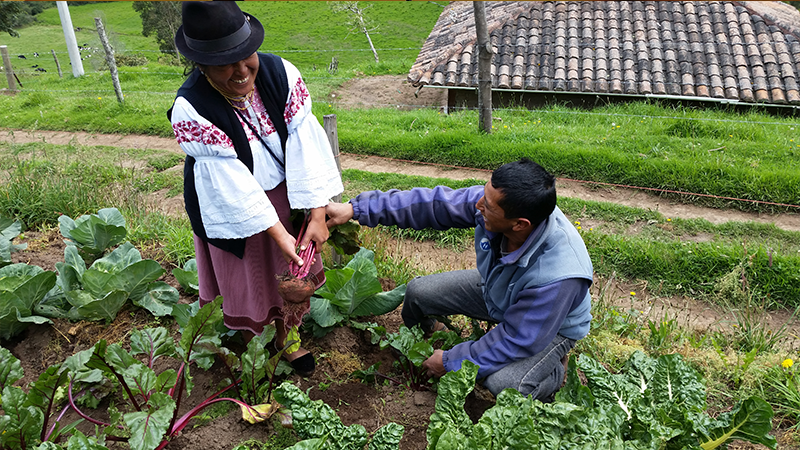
22, 287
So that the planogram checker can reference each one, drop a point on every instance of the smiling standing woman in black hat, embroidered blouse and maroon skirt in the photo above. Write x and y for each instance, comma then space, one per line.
254, 151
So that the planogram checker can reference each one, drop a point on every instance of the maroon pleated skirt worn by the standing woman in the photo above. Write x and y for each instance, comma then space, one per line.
249, 286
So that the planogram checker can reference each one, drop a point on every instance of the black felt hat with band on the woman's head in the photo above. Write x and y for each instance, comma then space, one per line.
217, 33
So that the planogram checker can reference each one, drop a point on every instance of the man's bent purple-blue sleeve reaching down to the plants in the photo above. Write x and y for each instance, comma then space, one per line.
528, 326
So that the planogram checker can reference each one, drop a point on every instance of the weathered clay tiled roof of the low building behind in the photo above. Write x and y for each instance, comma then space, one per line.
739, 51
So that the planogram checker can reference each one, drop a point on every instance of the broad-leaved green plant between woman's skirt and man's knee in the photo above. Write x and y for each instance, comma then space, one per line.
351, 292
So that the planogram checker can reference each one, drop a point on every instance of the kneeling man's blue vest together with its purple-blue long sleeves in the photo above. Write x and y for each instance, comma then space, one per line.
534, 293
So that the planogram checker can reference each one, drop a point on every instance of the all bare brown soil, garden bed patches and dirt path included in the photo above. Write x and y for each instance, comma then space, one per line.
346, 349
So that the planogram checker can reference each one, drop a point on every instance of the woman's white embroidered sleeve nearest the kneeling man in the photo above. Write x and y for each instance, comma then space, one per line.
312, 177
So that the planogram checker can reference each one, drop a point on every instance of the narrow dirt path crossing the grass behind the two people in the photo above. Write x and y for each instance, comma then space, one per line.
585, 191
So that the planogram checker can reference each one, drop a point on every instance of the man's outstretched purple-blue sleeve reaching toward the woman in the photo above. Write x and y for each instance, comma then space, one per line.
439, 208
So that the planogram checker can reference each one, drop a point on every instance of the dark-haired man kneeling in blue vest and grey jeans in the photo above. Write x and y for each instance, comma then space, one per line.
532, 279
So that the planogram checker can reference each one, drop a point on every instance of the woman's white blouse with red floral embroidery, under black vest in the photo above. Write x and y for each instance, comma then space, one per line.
232, 201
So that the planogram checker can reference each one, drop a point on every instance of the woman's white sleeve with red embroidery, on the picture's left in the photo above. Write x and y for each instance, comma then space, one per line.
232, 203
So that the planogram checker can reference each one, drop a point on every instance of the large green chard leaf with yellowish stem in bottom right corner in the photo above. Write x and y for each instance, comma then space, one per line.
750, 421
